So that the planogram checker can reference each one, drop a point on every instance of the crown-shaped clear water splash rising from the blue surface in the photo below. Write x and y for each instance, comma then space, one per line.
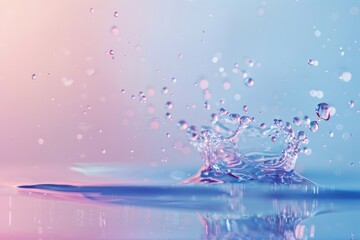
237, 149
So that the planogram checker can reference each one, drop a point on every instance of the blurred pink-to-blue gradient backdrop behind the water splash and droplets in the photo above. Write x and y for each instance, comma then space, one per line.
73, 124
